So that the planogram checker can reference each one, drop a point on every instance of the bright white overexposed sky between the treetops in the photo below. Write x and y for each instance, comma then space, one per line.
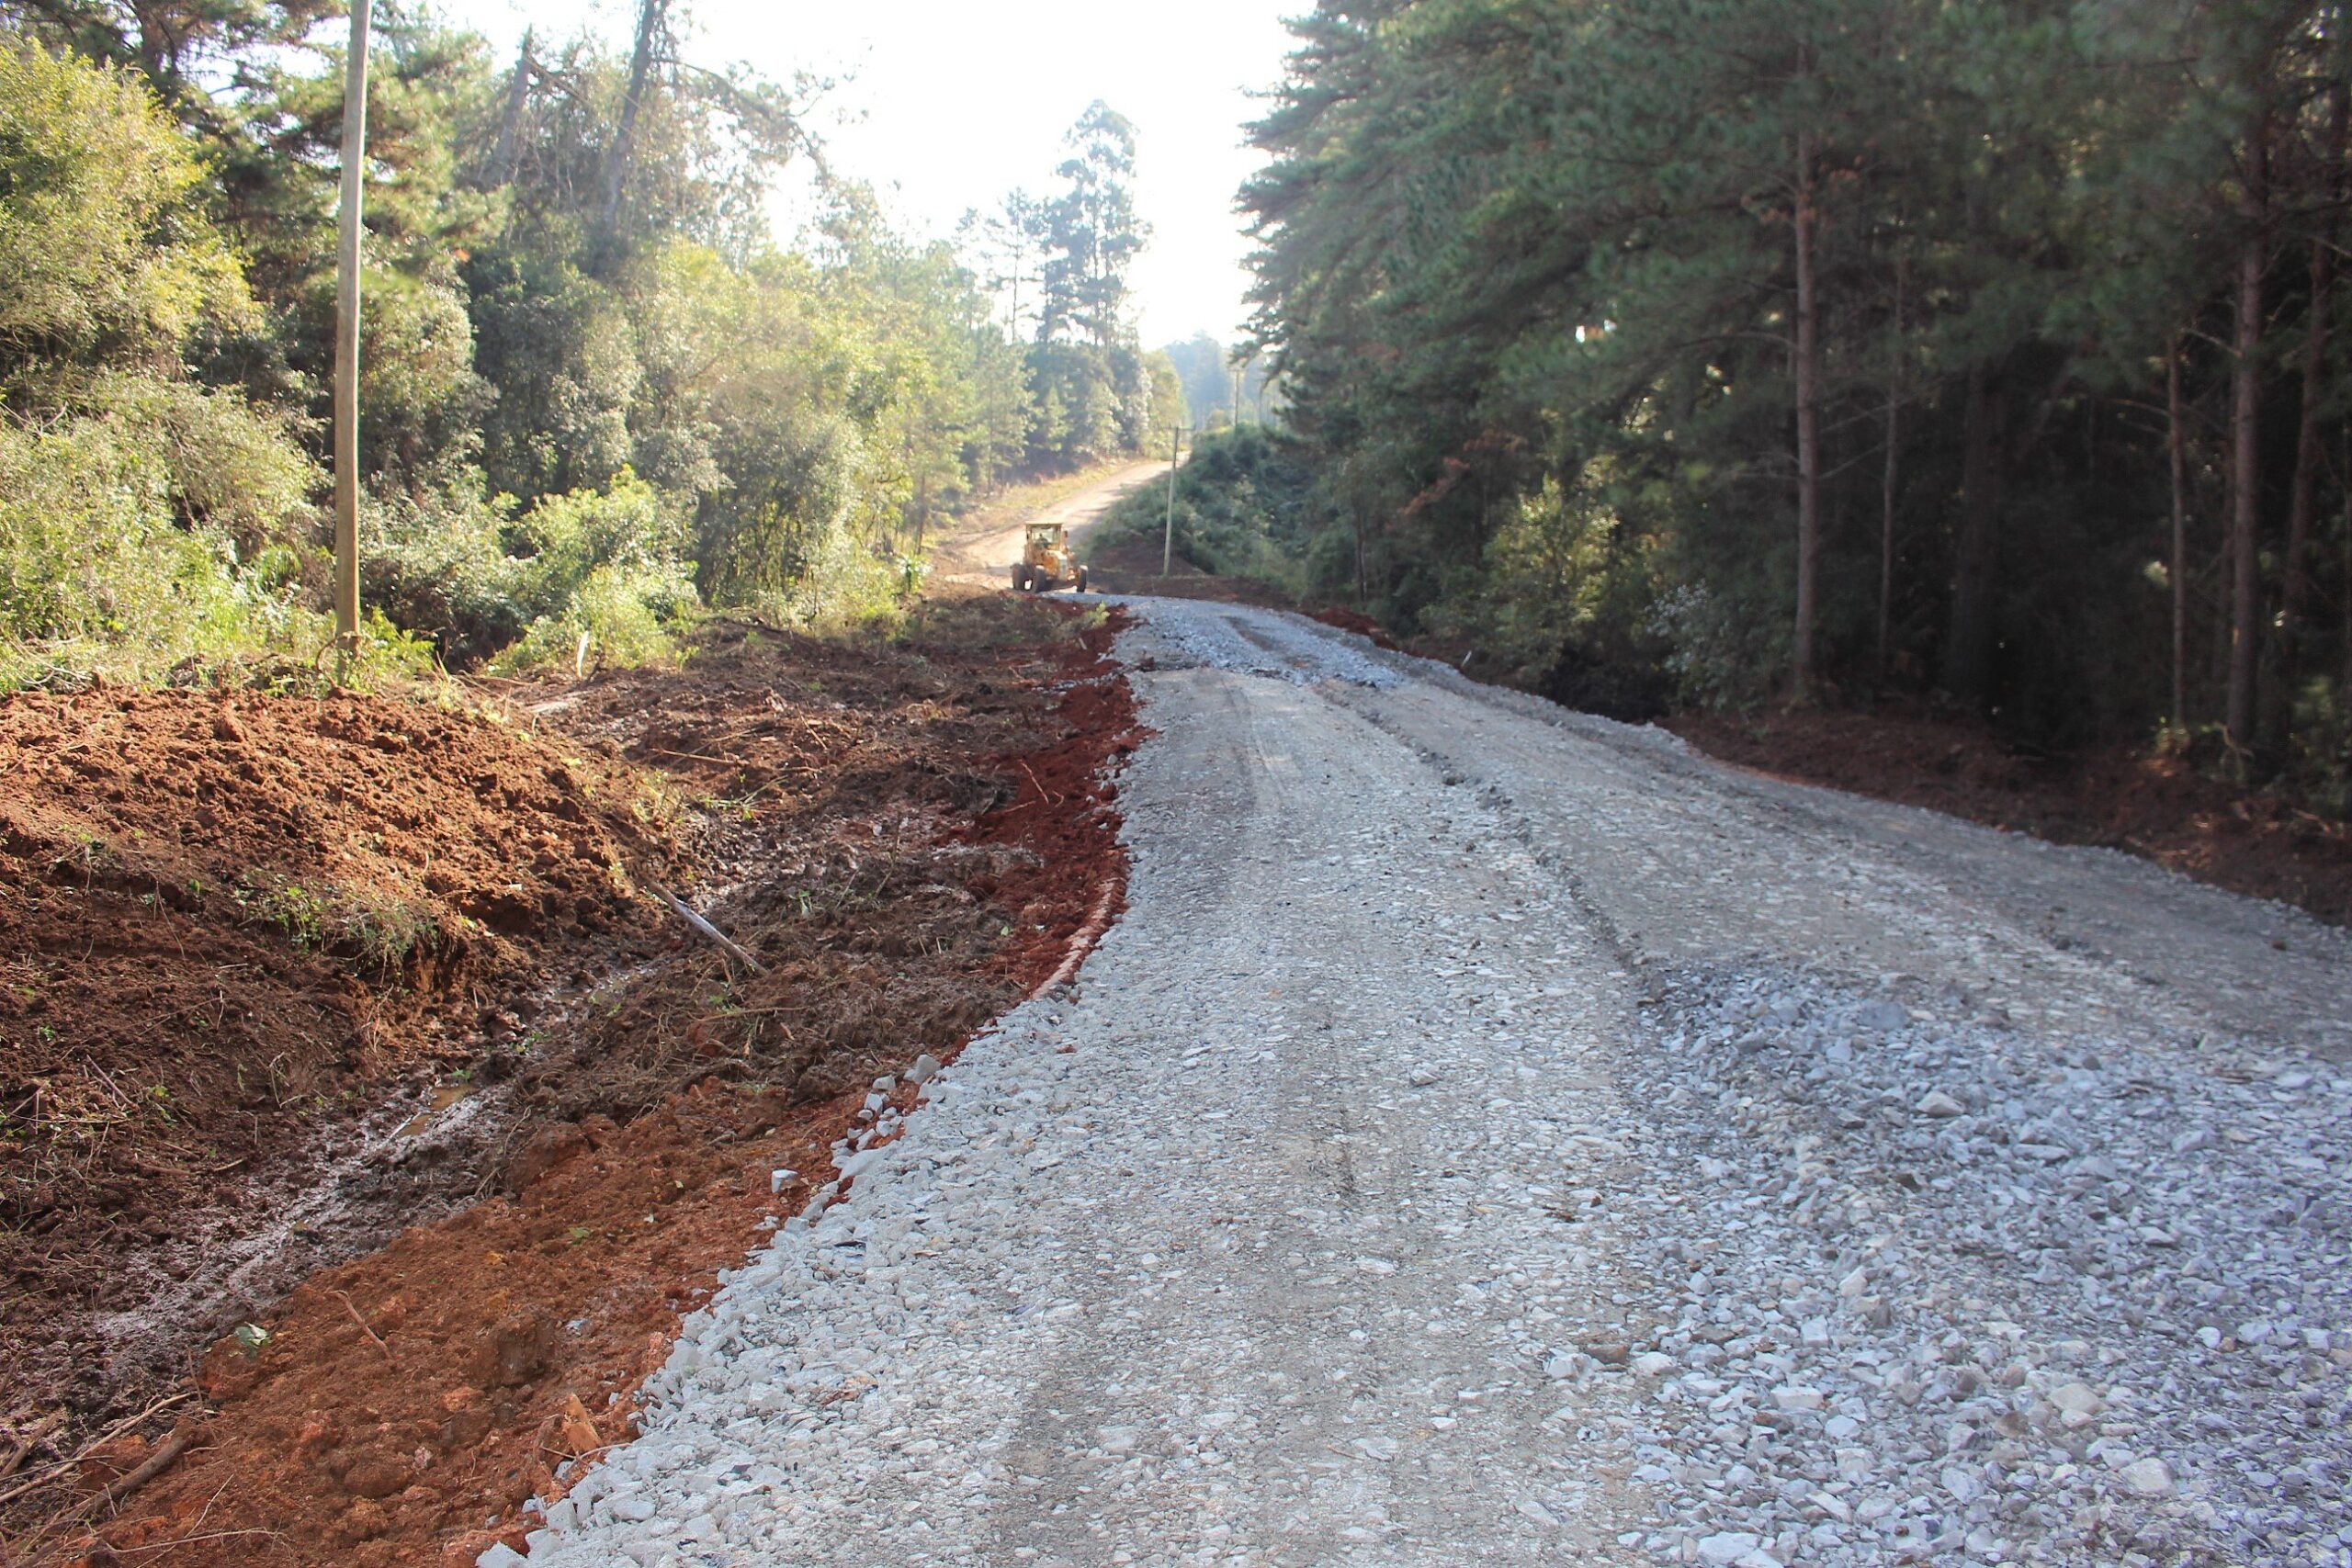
949, 105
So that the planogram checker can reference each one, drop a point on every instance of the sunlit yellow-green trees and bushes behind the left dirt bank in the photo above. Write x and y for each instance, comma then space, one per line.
596, 391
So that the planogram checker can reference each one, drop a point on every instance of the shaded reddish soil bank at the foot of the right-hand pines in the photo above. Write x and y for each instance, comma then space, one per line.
2156, 808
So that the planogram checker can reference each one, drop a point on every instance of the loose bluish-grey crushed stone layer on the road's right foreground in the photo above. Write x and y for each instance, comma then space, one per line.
1937, 1287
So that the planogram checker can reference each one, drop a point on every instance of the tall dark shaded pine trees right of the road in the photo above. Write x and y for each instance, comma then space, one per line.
1838, 347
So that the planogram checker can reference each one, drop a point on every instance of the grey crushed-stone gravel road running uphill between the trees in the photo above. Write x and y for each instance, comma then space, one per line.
1499, 1137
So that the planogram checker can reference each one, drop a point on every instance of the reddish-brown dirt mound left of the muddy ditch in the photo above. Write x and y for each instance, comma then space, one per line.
225, 925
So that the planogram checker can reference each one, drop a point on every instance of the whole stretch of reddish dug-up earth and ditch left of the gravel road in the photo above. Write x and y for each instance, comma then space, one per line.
370, 1115
